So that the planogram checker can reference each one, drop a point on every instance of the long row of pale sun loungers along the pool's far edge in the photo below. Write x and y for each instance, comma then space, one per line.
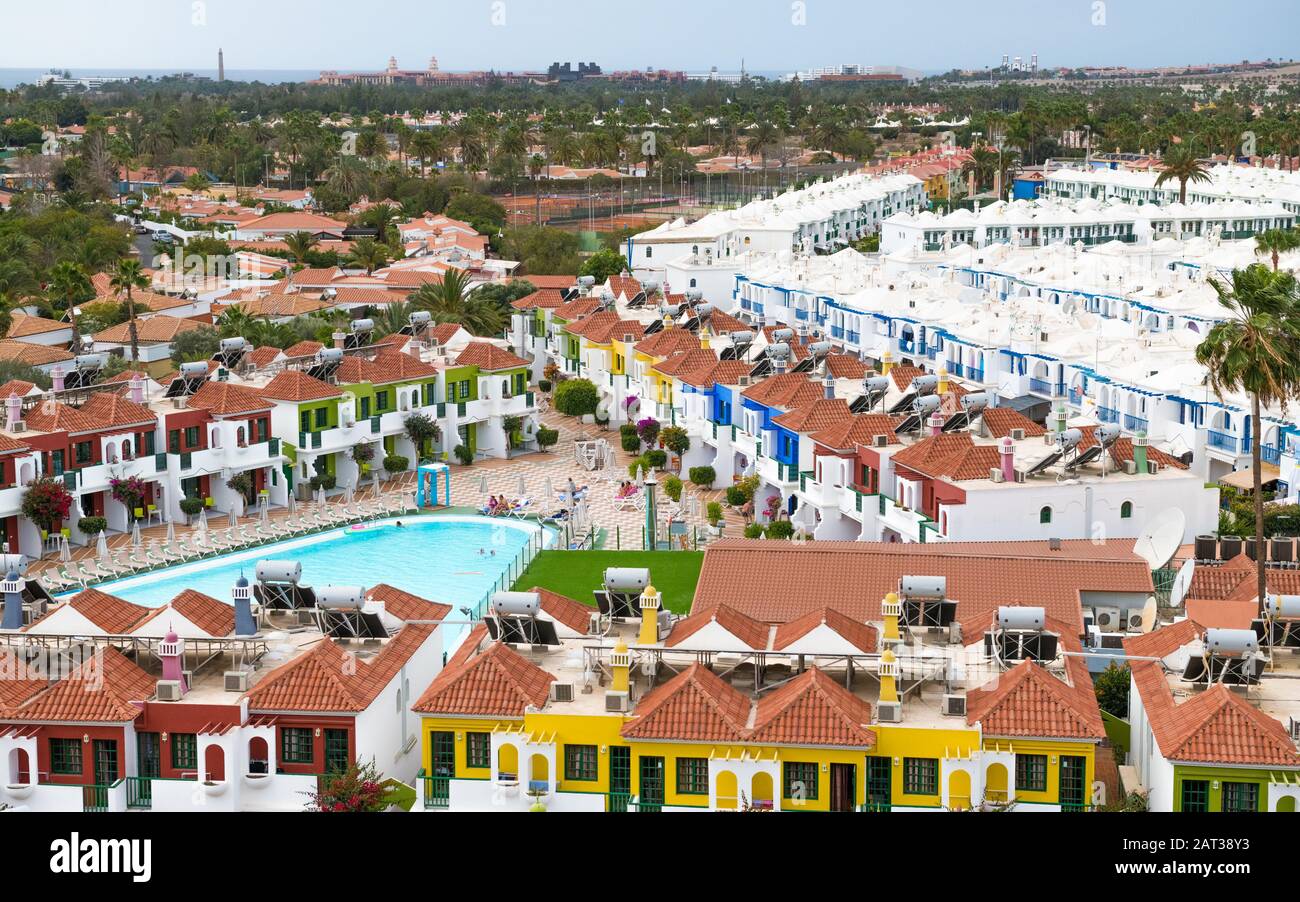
205, 543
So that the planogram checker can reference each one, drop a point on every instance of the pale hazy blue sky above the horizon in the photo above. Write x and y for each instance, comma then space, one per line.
677, 34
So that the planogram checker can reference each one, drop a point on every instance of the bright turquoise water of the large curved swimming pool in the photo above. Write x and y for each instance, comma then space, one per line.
436, 558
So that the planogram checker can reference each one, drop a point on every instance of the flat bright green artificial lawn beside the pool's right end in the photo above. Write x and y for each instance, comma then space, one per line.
578, 574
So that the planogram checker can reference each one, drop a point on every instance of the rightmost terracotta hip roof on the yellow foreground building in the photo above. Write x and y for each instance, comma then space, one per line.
1029, 701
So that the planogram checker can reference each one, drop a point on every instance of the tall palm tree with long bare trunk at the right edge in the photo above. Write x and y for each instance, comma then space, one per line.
1256, 350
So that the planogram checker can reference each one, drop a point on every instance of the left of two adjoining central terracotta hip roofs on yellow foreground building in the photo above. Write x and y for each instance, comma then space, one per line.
695, 706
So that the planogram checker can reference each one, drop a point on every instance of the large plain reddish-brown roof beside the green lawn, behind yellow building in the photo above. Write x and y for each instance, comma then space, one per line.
753, 576
